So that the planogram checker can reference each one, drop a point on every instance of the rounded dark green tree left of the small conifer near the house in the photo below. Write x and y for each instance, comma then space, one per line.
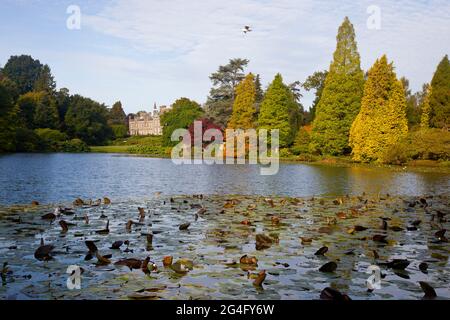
87, 120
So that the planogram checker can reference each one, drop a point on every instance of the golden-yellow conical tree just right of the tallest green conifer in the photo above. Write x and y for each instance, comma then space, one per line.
382, 120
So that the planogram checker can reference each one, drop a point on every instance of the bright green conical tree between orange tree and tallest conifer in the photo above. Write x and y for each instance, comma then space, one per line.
280, 111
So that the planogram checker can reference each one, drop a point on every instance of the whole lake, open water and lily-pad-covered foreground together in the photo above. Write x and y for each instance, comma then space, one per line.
364, 216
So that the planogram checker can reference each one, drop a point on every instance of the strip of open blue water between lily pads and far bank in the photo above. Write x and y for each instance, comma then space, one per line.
50, 178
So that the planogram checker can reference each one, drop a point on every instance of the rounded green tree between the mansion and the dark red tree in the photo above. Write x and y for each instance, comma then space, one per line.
181, 115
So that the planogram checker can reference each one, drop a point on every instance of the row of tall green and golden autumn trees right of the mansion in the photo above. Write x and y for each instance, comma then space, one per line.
370, 116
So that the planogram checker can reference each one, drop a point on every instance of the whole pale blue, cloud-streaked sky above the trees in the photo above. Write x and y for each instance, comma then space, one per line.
143, 52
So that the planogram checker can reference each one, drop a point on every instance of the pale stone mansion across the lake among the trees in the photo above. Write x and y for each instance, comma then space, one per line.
146, 123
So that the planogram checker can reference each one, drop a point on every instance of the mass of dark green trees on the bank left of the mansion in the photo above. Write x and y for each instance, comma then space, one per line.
34, 116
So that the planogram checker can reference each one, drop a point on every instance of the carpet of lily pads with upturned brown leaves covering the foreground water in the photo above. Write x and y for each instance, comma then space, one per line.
228, 247
